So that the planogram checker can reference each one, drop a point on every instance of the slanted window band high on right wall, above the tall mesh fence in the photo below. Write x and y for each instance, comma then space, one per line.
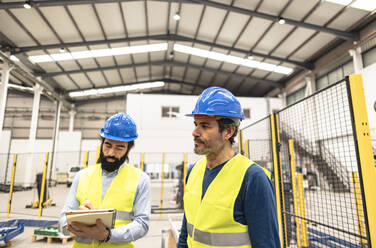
335, 75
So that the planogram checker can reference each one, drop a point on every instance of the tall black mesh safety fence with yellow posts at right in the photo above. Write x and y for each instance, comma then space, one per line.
320, 154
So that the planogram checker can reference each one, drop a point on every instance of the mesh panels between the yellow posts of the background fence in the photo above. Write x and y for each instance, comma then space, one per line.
166, 193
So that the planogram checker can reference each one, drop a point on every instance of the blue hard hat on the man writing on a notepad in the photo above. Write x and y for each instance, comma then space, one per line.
119, 127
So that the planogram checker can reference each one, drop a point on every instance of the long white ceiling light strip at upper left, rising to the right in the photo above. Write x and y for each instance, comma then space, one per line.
99, 53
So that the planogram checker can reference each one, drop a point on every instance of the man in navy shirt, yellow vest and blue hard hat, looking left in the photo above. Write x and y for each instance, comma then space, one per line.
229, 200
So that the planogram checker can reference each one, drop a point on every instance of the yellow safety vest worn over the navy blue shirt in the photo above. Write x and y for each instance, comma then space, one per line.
210, 221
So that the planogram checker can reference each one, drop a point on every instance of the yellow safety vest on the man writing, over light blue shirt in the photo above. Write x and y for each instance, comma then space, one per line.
120, 196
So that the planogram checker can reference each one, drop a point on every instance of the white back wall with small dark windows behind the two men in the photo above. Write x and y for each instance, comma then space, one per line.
157, 134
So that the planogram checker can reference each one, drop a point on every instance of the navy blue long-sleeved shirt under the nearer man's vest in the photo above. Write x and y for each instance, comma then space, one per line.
254, 206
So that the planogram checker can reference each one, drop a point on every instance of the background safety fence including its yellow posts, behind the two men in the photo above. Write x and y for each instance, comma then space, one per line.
24, 171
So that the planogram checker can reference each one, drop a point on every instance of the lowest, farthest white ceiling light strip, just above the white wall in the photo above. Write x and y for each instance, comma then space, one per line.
116, 89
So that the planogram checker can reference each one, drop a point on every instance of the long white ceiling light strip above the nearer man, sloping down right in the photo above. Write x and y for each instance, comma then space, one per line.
232, 59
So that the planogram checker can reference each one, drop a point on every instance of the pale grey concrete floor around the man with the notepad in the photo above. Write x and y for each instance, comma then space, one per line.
153, 239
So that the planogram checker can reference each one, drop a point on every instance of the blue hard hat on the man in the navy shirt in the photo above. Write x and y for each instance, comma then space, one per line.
218, 101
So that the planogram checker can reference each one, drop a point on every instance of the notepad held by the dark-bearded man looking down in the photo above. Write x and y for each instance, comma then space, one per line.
89, 217
